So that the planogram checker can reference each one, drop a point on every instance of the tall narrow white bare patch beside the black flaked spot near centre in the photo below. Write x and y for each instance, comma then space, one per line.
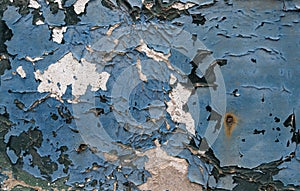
179, 97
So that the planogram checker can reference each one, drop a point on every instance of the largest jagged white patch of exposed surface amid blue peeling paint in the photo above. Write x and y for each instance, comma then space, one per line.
69, 71
